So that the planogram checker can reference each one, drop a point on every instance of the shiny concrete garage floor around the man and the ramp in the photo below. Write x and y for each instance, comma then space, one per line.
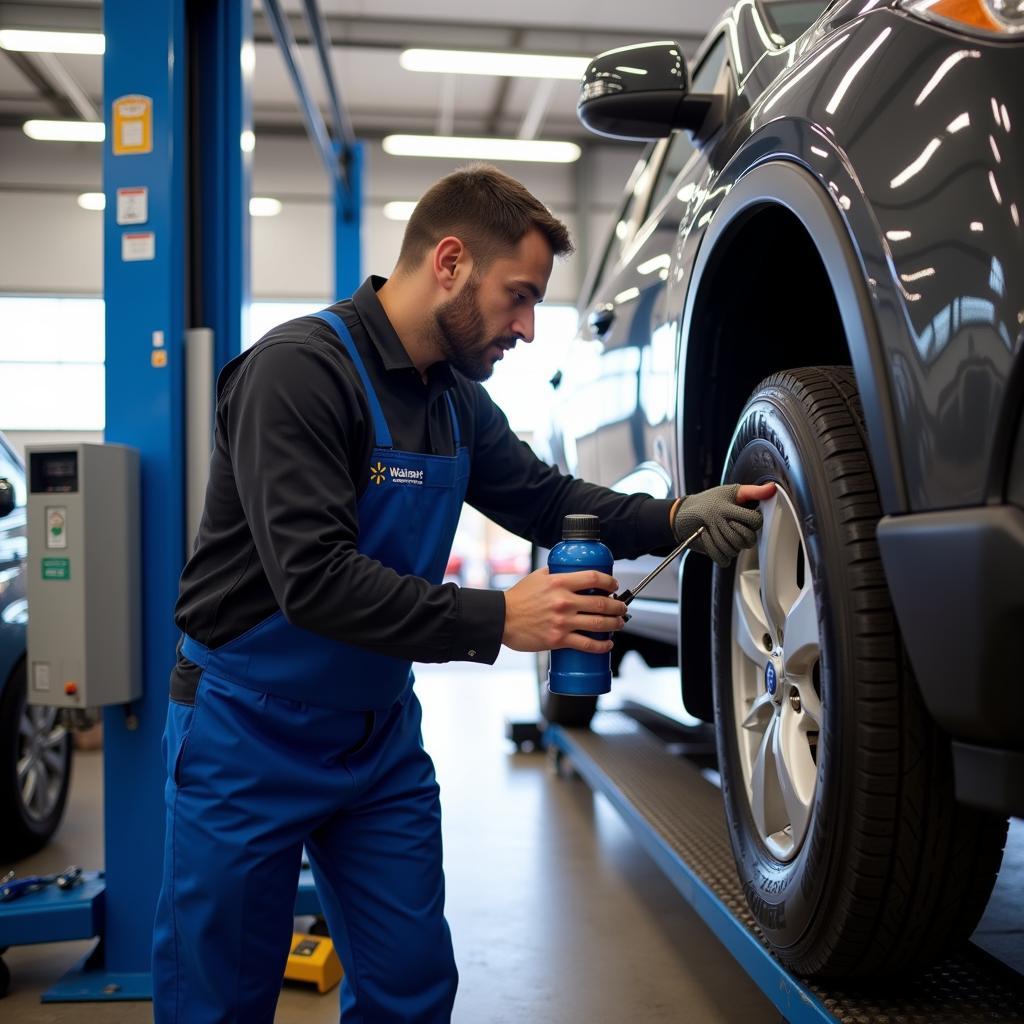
558, 915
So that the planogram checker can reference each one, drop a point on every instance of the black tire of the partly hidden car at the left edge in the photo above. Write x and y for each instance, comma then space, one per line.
29, 823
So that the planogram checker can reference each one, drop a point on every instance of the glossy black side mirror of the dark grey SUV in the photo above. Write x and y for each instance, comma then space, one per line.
644, 93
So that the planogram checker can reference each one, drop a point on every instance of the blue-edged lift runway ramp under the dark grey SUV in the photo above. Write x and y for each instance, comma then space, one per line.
678, 818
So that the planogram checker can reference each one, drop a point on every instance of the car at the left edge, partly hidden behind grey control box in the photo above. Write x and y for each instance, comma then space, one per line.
35, 749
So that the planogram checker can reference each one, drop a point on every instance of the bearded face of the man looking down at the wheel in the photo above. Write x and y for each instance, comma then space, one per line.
494, 310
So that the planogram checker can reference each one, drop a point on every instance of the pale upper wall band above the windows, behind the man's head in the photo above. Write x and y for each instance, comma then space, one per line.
50, 245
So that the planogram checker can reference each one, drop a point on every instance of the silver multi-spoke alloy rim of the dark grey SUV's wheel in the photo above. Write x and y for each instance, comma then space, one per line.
777, 656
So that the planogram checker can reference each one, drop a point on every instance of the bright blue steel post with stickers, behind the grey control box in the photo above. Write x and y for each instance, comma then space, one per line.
146, 50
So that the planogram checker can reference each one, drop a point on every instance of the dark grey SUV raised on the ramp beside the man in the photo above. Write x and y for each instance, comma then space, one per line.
817, 278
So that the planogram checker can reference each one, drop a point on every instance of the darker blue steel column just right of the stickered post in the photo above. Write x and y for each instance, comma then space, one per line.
222, 57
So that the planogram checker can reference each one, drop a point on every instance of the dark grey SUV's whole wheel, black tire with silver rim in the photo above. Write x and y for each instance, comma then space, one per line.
855, 857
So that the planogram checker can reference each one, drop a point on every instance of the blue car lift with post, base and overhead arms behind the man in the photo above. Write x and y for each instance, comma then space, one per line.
183, 71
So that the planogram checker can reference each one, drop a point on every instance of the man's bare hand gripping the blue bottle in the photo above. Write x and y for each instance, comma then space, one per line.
544, 611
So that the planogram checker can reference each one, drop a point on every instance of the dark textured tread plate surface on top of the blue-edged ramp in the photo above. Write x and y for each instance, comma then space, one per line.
688, 814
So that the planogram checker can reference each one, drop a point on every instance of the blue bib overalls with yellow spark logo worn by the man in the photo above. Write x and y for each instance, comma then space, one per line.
296, 740
